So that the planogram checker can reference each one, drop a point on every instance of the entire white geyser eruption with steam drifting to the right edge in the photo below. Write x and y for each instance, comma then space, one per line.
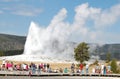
53, 40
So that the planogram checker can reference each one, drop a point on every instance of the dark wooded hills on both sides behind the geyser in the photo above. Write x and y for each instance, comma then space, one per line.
14, 45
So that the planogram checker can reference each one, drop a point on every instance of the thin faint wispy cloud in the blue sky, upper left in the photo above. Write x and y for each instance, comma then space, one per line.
23, 10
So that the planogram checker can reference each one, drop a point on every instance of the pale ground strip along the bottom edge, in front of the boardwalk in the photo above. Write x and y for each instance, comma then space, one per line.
55, 77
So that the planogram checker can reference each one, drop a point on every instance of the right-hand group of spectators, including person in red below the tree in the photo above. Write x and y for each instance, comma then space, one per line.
85, 69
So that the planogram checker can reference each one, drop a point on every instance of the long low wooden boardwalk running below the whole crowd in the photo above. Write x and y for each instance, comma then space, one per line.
26, 73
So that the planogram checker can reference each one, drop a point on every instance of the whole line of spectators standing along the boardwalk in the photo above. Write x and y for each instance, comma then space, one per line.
45, 67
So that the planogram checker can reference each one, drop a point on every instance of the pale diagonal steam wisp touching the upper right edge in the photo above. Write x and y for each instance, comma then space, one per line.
107, 17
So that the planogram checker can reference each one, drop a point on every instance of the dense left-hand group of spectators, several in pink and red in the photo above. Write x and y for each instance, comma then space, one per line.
32, 67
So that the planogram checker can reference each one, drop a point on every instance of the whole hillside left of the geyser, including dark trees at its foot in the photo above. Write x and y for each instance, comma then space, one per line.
11, 44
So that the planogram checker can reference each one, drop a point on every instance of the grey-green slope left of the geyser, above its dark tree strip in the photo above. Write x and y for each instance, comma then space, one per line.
11, 42
